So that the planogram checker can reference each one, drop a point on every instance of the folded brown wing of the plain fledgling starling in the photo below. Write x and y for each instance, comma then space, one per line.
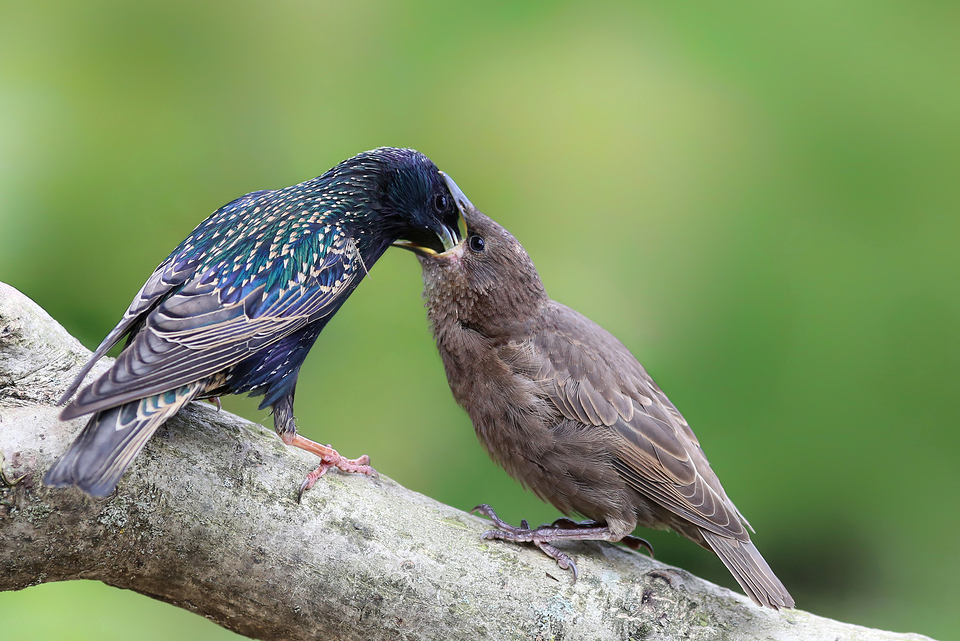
592, 378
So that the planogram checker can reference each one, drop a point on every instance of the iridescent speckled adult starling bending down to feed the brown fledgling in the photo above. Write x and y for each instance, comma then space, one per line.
238, 304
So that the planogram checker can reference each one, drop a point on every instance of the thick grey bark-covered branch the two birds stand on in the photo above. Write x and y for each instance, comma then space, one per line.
207, 519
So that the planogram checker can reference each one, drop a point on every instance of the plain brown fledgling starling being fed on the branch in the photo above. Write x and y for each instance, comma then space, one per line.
568, 411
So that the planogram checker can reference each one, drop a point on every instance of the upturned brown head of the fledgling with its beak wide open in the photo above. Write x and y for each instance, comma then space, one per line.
487, 282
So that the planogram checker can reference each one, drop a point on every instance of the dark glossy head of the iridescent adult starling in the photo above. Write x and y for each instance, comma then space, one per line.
412, 202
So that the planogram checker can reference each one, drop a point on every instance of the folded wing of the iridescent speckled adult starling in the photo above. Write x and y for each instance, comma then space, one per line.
204, 328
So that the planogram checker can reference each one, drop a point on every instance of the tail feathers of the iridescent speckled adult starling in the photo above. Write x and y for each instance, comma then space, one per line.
112, 438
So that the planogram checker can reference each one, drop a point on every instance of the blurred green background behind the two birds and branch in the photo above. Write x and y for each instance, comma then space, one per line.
759, 199
